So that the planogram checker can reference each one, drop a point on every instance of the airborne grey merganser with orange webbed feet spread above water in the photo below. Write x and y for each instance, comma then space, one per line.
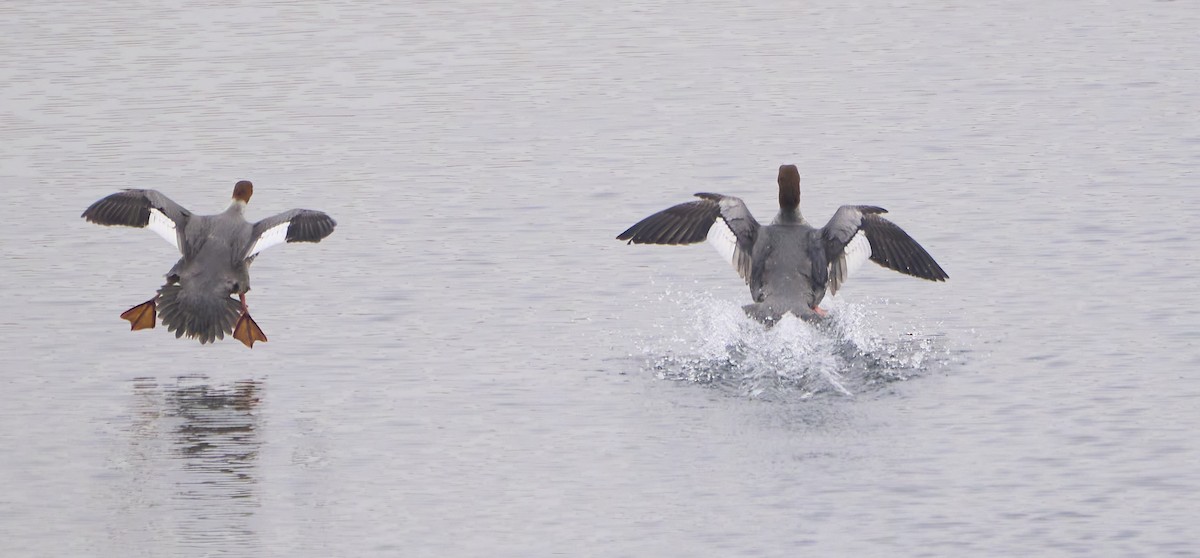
217, 253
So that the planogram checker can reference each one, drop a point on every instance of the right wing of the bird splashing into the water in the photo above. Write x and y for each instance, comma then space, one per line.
859, 233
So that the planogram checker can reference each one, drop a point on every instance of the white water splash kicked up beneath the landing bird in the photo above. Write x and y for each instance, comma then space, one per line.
851, 353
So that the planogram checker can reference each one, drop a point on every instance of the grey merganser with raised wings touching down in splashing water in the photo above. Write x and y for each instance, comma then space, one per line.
789, 265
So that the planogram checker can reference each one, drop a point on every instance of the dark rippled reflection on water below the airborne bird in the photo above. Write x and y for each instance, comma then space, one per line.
213, 431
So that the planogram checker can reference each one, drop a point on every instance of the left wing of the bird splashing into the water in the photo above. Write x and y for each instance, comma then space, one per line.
693, 223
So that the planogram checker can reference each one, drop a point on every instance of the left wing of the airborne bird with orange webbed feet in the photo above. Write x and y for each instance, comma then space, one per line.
142, 209
